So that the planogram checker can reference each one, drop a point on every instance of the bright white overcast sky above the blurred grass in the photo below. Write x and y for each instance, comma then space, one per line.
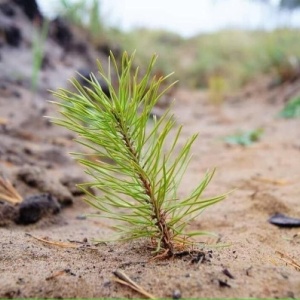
191, 17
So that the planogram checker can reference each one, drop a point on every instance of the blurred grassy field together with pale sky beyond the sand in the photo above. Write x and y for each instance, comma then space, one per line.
221, 44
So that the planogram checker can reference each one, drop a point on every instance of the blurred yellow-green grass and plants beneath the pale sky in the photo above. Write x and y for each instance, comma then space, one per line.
222, 61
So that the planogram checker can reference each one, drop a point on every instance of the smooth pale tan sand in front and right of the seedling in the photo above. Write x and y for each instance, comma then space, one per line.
265, 180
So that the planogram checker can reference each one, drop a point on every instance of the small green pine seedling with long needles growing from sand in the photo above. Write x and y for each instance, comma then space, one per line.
139, 183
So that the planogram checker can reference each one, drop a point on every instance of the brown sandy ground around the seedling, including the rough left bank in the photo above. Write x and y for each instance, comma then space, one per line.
264, 179
